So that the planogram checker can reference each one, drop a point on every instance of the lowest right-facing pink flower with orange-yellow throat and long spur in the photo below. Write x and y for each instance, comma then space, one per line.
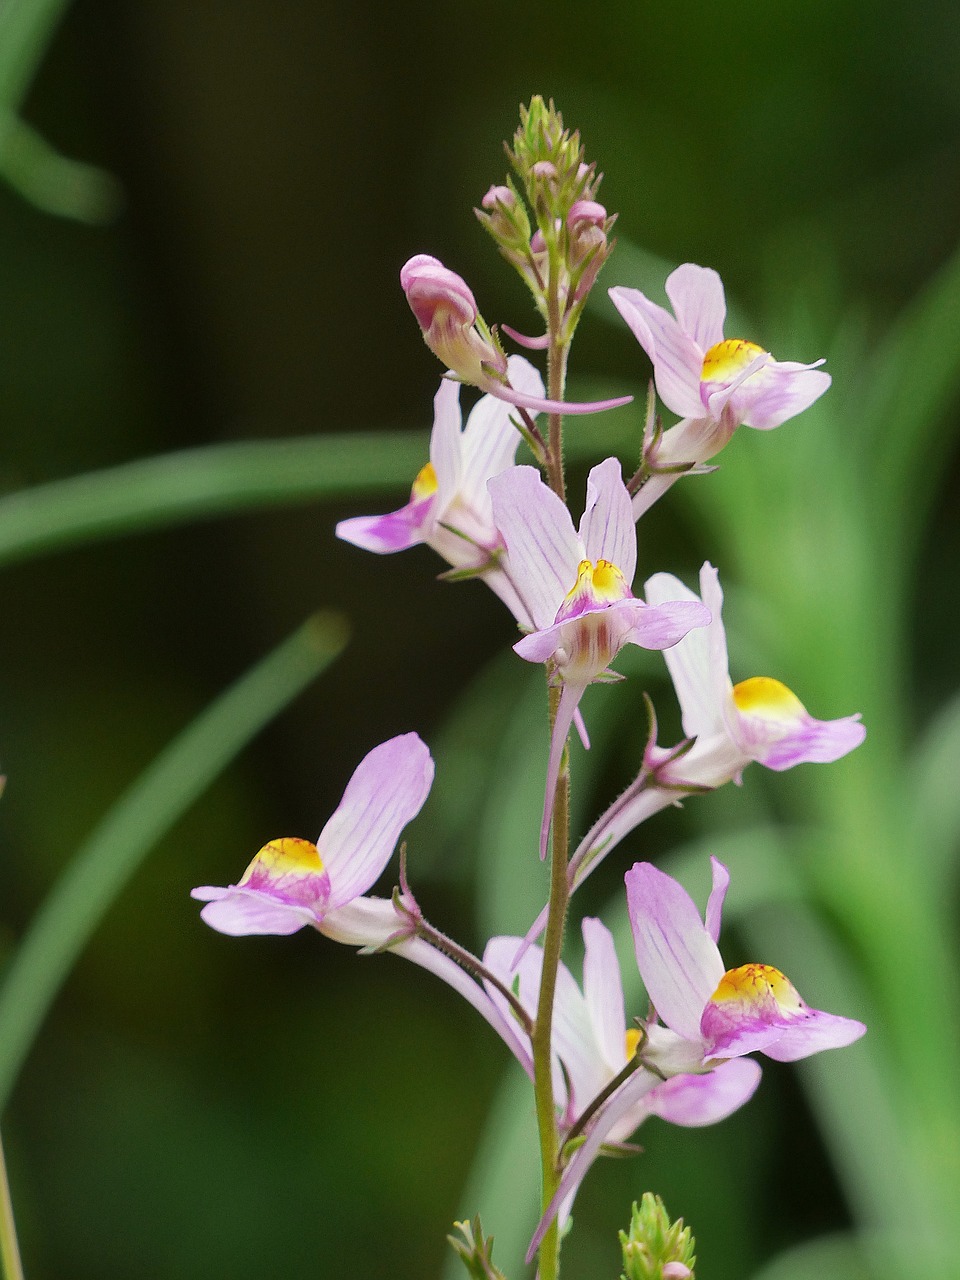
708, 1016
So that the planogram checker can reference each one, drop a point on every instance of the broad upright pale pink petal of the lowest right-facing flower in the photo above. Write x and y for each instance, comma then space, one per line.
679, 961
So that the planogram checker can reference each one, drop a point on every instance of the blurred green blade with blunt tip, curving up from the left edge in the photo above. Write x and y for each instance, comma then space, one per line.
141, 817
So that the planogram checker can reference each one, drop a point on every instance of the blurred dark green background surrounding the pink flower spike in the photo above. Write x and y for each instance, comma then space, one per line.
200, 1107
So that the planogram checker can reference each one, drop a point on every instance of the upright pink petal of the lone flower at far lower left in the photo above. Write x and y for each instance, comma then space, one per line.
386, 793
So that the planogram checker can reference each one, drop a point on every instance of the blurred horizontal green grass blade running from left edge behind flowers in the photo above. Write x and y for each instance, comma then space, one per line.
221, 479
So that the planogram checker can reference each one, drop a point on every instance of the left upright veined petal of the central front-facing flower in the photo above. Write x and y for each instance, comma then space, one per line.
542, 543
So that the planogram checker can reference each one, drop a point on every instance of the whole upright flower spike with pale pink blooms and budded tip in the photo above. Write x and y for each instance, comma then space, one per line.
572, 591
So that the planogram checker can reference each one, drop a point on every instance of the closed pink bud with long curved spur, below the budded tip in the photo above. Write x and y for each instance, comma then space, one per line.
454, 330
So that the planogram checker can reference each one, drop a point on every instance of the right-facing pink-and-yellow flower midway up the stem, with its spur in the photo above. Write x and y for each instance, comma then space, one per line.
732, 726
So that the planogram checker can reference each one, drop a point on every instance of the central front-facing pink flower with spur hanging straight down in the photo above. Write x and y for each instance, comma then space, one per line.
577, 588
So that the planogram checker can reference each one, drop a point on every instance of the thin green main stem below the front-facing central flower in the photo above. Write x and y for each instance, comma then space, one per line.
543, 1031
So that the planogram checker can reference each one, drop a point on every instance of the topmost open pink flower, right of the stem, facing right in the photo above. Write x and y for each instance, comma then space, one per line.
714, 383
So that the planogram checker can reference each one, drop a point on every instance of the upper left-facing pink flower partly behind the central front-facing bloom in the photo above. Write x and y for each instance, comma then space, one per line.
450, 506
